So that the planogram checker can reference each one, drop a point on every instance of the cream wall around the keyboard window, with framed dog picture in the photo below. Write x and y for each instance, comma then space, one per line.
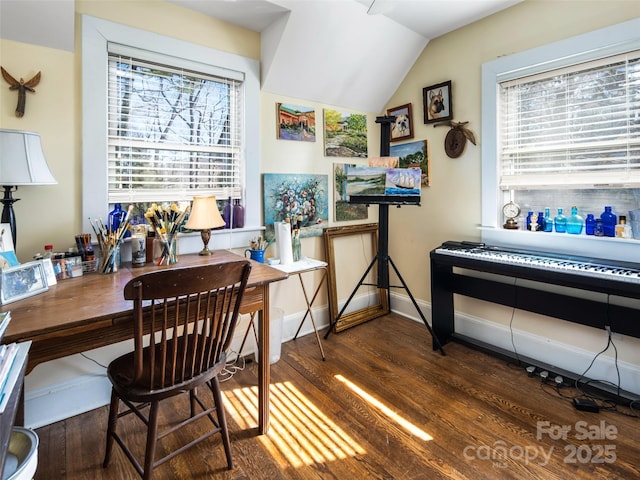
451, 206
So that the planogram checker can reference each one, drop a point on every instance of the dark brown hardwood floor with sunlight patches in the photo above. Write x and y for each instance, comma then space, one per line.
384, 406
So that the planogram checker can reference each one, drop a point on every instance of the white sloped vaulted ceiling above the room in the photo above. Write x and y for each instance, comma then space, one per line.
348, 53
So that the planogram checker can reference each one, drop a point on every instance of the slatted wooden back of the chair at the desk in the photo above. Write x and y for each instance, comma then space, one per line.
186, 316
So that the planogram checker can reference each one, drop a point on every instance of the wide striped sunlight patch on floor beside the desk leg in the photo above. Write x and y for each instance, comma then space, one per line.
299, 434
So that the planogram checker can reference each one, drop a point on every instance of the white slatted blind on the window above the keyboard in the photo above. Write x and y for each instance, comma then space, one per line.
577, 127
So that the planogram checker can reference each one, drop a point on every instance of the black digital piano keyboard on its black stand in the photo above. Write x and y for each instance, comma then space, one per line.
611, 278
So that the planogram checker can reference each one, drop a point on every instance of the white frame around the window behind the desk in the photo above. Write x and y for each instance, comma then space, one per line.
96, 34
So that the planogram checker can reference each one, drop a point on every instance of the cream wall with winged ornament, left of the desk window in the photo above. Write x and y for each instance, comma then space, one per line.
45, 214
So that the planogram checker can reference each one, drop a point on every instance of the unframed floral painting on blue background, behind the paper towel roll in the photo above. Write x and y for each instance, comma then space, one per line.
300, 197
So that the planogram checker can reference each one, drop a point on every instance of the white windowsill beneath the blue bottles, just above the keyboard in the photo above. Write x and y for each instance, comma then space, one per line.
619, 249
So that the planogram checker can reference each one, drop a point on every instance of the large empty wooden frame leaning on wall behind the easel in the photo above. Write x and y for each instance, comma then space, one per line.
334, 240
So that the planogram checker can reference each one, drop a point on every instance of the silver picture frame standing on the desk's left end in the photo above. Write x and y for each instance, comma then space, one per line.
23, 281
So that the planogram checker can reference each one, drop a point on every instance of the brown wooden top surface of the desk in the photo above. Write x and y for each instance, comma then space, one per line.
99, 297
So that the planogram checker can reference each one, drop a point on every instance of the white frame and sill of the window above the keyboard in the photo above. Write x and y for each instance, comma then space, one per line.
590, 46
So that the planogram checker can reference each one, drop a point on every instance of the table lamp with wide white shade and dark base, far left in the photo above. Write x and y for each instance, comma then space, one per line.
22, 162
